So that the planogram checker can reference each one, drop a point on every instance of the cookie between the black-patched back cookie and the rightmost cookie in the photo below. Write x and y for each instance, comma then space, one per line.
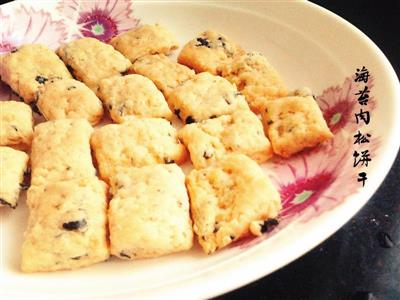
256, 79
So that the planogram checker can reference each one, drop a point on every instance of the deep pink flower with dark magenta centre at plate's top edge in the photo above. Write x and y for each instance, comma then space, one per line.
98, 19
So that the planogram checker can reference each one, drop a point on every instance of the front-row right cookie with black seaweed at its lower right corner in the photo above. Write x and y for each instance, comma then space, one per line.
230, 200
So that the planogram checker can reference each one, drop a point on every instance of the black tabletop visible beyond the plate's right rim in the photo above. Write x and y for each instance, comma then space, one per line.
362, 259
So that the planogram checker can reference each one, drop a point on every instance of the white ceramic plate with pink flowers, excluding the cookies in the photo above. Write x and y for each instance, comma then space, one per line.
310, 47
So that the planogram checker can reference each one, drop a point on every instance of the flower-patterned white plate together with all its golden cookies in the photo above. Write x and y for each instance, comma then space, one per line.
181, 150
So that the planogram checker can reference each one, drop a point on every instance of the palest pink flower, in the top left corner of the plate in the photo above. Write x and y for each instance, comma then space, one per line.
28, 26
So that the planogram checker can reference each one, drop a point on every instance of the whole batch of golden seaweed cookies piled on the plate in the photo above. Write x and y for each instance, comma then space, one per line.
118, 189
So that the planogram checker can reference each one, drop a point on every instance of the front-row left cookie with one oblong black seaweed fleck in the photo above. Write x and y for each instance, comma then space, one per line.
67, 229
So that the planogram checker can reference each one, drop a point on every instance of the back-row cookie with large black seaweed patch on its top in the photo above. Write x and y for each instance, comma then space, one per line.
208, 52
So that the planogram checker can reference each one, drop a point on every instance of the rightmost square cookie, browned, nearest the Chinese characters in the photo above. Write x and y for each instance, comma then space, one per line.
293, 124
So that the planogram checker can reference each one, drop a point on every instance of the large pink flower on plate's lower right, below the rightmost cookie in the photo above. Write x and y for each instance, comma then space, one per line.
308, 180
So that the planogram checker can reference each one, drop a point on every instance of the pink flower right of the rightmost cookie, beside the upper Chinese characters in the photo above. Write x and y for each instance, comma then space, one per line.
338, 103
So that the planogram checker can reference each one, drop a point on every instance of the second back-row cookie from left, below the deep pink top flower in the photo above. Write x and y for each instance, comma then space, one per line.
92, 60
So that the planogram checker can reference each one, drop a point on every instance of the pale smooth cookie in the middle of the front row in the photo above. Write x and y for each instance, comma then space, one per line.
149, 212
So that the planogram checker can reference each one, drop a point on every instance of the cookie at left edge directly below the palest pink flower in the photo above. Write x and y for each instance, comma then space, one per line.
30, 66
